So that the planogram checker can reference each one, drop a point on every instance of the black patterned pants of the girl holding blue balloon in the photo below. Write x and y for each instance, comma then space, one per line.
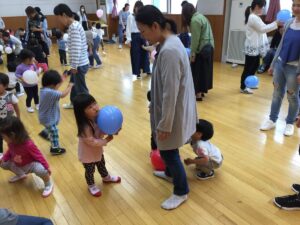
90, 170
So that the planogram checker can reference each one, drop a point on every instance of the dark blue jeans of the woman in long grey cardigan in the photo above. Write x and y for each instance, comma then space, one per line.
175, 169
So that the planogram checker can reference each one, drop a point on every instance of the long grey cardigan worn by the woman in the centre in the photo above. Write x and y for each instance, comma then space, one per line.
173, 101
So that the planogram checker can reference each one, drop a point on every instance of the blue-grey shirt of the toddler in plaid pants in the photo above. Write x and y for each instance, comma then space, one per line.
49, 113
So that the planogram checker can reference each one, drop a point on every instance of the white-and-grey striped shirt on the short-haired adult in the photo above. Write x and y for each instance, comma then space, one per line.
77, 46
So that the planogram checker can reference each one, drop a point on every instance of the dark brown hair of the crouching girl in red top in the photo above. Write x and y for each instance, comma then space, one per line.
14, 129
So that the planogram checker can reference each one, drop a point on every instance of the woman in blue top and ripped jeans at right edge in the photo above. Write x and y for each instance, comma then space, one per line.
286, 73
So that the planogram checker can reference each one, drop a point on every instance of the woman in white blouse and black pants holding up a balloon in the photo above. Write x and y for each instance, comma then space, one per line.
256, 43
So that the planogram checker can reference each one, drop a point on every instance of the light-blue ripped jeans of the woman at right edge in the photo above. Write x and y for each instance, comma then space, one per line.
285, 80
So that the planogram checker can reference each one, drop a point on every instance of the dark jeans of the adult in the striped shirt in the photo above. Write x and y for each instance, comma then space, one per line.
79, 82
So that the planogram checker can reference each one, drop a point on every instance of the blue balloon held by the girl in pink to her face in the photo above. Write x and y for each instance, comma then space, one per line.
110, 119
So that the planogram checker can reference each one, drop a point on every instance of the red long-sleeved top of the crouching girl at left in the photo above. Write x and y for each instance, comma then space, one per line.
24, 154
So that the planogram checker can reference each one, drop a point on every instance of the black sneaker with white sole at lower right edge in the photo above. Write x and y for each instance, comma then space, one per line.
289, 202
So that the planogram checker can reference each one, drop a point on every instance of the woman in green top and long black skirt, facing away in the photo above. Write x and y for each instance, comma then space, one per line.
202, 49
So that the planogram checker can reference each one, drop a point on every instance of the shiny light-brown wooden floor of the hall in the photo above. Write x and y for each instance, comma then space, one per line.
257, 165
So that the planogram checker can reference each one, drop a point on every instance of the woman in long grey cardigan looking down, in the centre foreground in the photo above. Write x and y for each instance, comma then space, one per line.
172, 100
